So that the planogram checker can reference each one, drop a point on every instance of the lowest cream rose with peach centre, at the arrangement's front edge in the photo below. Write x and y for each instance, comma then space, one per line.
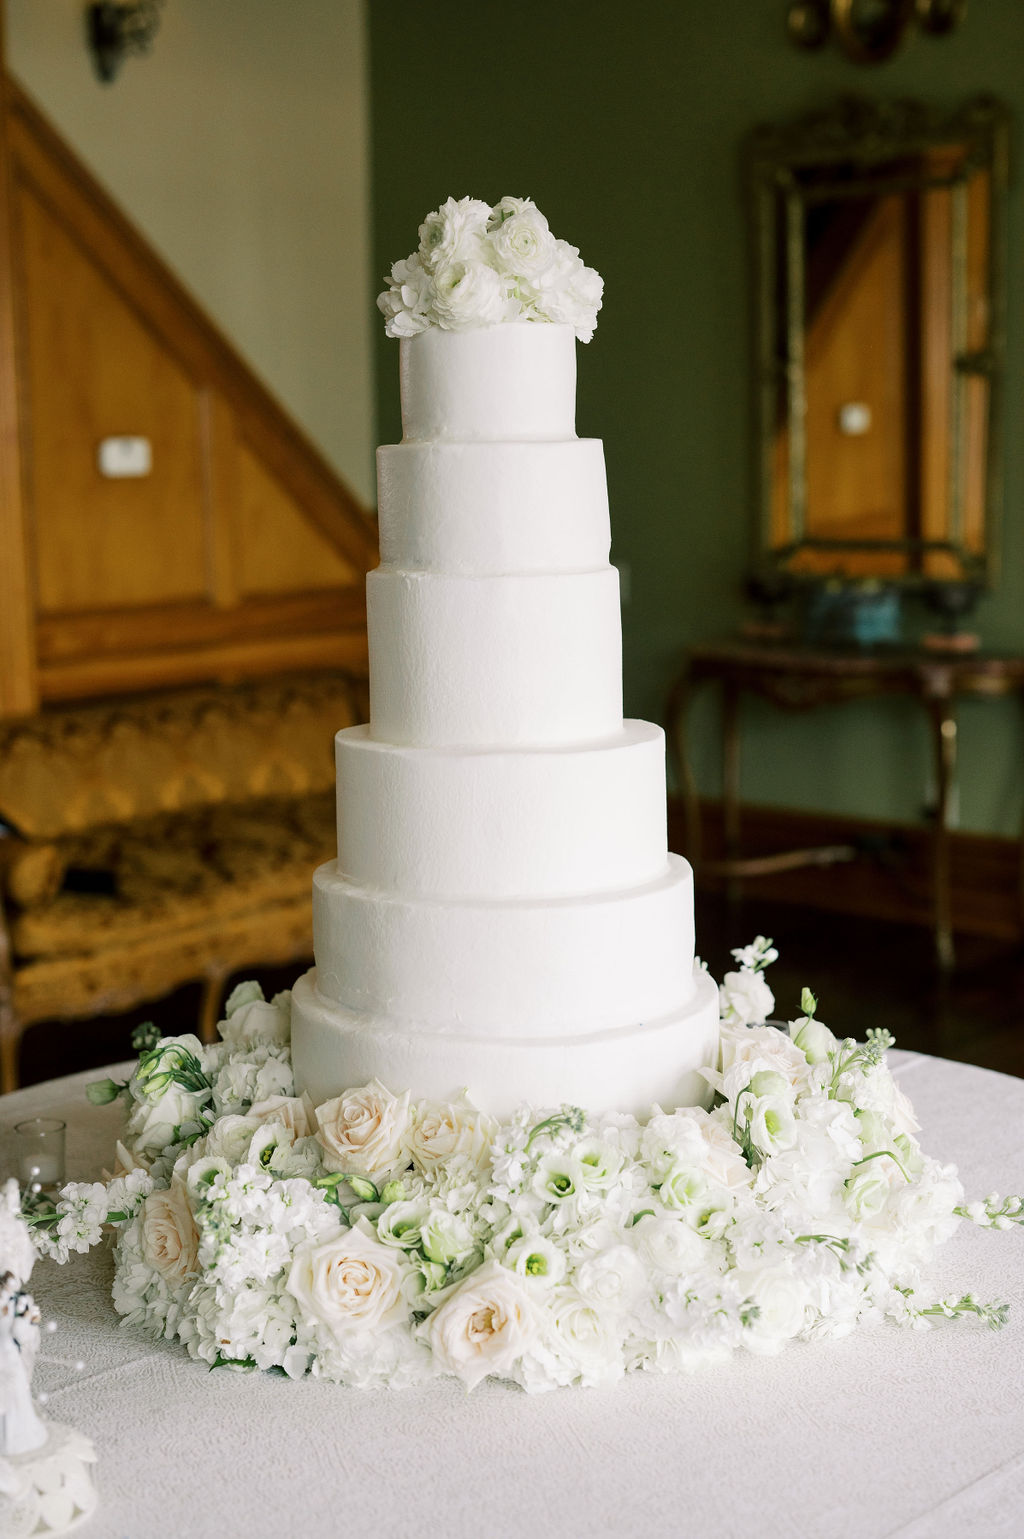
484, 1326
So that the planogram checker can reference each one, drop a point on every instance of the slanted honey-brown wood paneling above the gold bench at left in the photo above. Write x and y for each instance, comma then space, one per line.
239, 555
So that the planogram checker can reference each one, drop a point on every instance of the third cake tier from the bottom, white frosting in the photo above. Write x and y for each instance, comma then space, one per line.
538, 823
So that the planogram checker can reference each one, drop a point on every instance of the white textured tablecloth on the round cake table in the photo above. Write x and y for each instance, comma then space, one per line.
889, 1434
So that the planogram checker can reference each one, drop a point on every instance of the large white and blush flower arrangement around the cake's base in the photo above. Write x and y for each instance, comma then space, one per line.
378, 1241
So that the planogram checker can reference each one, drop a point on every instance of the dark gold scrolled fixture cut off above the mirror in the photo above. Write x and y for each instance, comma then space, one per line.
869, 32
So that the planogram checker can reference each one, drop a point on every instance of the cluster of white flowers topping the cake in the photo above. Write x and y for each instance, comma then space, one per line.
480, 267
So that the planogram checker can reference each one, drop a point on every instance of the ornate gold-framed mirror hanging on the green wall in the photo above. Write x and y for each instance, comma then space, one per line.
878, 302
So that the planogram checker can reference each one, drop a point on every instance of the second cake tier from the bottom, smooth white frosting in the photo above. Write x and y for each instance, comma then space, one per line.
524, 967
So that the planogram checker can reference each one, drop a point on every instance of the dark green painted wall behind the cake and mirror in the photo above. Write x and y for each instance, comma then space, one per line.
624, 124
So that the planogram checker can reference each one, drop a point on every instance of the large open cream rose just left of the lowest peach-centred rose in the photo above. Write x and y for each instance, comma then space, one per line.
352, 1283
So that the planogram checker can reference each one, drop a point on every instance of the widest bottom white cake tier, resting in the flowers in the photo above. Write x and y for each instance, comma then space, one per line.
629, 1069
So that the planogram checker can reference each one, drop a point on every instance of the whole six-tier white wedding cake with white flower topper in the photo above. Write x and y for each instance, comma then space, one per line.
504, 916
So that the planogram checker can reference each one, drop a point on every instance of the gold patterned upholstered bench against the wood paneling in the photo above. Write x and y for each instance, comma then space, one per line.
156, 841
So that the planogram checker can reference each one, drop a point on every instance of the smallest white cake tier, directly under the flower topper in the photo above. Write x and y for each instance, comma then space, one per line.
510, 382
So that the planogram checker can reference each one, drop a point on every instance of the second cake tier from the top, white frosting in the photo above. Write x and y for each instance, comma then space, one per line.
492, 509
